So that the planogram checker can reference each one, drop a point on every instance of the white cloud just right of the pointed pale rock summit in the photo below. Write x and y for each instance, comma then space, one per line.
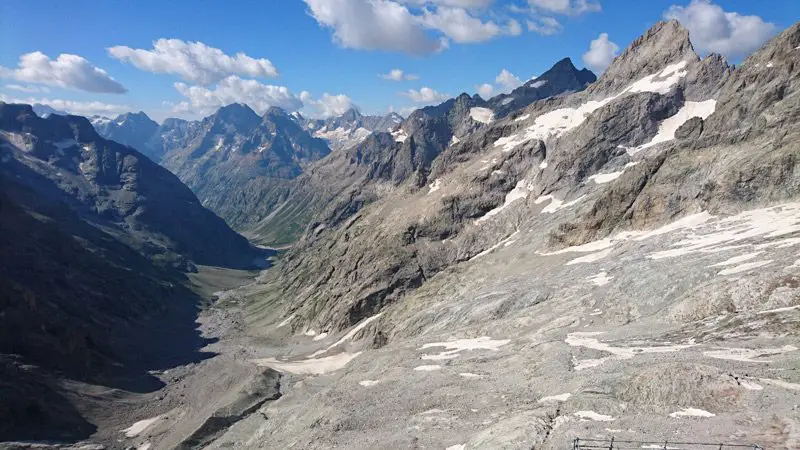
712, 29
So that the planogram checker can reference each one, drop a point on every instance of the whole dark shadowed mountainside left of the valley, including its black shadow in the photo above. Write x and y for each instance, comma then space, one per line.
95, 240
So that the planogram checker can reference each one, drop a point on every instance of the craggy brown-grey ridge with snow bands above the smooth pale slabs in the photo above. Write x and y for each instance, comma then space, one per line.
619, 154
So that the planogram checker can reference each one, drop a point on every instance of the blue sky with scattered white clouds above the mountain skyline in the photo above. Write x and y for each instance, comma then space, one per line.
334, 47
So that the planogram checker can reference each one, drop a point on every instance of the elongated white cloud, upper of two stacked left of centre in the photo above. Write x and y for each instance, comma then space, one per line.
193, 61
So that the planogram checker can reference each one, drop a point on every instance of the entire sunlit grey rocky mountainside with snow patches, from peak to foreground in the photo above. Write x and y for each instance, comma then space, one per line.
617, 262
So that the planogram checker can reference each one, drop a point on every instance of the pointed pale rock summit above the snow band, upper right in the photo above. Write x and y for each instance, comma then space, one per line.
663, 44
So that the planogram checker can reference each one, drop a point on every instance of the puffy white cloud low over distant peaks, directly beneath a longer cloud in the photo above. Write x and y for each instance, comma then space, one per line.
203, 100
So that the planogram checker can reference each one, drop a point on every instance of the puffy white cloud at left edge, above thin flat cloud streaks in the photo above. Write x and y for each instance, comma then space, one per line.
67, 71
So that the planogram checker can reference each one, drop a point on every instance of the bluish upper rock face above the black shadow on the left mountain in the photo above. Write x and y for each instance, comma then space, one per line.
62, 157
